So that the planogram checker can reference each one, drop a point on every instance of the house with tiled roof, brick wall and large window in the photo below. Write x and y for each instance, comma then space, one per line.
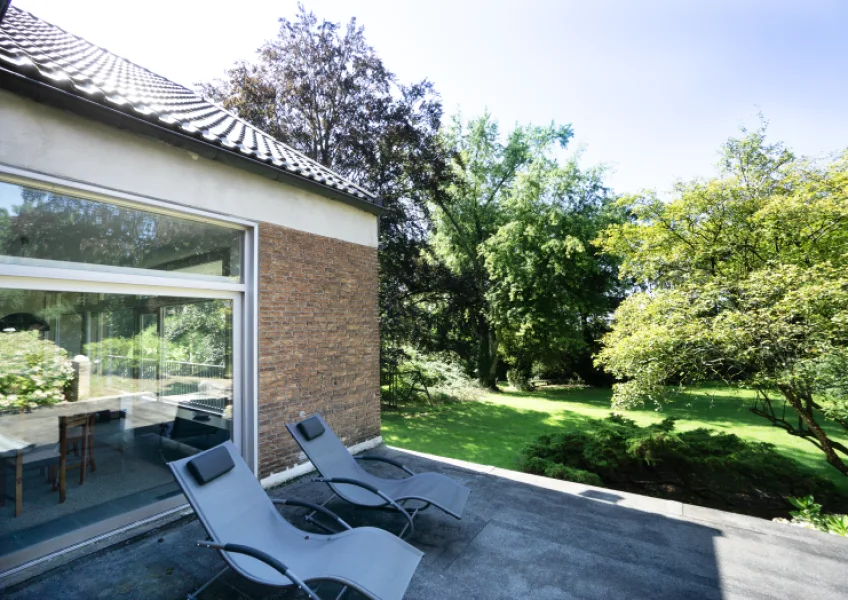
170, 277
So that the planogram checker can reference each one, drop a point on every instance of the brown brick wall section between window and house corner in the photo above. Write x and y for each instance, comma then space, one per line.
319, 340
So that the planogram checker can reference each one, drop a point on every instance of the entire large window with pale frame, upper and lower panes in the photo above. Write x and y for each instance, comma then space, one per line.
103, 383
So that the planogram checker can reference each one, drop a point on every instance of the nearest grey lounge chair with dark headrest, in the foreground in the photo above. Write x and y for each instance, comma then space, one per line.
258, 543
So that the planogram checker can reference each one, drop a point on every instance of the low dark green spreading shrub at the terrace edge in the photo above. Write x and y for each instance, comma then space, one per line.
699, 466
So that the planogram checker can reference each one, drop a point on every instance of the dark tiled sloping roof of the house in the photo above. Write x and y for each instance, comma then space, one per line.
80, 71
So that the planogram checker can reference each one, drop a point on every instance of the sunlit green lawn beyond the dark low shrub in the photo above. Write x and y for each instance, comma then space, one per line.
494, 429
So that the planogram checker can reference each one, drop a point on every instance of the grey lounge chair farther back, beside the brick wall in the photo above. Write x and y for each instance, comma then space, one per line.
351, 482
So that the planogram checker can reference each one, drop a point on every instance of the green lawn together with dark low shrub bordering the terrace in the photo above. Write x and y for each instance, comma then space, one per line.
704, 447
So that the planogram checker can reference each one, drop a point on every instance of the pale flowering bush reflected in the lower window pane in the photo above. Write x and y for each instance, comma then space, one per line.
33, 371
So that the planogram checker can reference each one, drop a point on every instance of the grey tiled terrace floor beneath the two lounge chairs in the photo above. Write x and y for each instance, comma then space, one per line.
521, 537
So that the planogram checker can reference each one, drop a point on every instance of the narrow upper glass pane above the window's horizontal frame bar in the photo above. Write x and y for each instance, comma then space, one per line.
36, 224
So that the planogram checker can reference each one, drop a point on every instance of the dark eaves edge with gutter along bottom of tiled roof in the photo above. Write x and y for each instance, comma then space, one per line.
53, 96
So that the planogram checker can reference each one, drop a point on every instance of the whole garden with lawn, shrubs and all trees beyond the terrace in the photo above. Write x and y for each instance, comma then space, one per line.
710, 315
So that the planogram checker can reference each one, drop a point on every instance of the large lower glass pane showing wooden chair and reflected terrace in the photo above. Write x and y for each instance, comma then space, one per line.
97, 393
